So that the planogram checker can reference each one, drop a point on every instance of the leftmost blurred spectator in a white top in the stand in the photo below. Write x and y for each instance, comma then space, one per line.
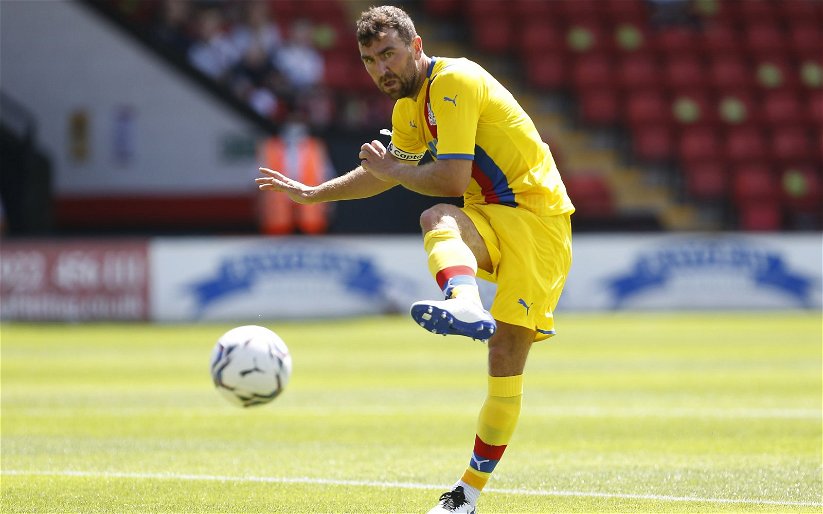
212, 53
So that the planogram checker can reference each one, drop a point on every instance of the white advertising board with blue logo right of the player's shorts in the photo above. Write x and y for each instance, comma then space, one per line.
694, 271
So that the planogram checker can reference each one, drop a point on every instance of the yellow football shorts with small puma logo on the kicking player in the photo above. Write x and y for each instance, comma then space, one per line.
531, 256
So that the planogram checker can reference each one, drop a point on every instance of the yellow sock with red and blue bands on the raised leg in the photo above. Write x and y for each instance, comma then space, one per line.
451, 263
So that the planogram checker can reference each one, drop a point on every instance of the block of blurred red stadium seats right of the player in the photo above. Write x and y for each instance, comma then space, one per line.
726, 97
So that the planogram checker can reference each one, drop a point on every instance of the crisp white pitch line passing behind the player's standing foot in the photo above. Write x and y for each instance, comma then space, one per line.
404, 485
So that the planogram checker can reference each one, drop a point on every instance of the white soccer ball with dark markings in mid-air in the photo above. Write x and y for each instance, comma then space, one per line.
250, 365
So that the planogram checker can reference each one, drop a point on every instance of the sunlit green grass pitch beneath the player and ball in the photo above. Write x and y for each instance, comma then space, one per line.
622, 413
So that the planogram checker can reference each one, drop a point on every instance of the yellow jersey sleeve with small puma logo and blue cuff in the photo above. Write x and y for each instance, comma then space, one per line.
456, 99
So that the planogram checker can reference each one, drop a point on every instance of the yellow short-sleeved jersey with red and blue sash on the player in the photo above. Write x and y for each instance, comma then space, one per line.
463, 112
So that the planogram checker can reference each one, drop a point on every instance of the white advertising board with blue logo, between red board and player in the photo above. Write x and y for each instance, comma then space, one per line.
299, 277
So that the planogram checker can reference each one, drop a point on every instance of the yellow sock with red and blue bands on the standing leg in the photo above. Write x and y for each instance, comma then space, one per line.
495, 426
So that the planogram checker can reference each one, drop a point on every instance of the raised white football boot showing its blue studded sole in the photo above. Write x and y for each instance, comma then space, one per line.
454, 317
